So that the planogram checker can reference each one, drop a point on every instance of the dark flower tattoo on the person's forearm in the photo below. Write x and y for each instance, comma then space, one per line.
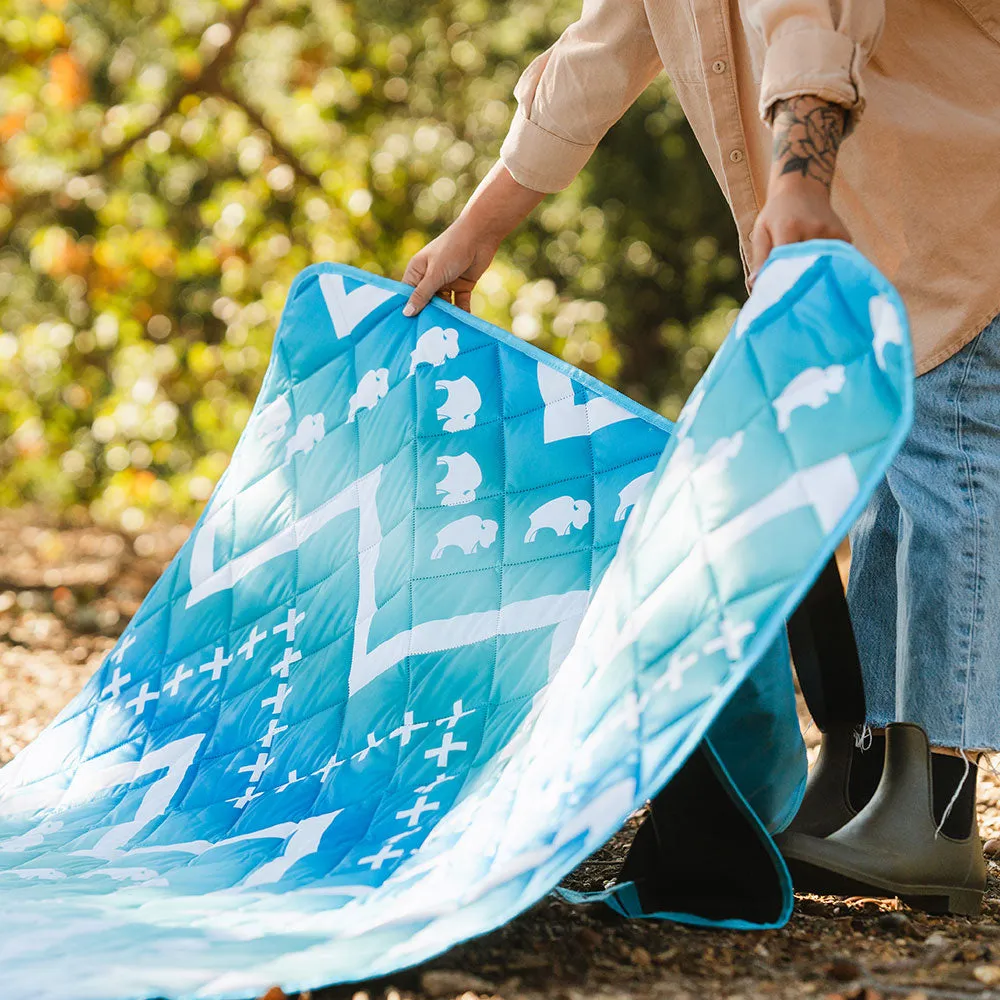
807, 134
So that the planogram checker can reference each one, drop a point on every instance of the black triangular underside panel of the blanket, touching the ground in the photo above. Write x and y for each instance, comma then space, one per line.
678, 857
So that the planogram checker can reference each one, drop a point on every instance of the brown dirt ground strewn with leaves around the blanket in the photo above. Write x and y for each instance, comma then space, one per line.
66, 592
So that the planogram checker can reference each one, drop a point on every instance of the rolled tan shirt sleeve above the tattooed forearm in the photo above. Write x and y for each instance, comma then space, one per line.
815, 48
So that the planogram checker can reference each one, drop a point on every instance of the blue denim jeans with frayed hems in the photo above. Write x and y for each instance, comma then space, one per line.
924, 589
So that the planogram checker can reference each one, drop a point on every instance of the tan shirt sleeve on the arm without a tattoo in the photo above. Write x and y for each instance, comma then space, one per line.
571, 94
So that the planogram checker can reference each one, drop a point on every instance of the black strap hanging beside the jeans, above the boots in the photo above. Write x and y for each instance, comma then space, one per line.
825, 653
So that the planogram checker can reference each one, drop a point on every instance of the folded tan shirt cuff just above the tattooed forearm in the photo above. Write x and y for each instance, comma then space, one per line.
813, 62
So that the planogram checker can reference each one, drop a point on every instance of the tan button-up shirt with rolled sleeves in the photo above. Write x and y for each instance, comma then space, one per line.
917, 182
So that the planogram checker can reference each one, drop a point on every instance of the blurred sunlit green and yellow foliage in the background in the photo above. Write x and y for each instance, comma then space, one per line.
168, 166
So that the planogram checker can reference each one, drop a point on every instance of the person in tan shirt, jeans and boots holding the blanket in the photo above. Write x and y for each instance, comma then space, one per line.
851, 120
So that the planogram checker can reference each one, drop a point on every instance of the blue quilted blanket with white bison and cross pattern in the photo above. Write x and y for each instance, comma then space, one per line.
454, 612
